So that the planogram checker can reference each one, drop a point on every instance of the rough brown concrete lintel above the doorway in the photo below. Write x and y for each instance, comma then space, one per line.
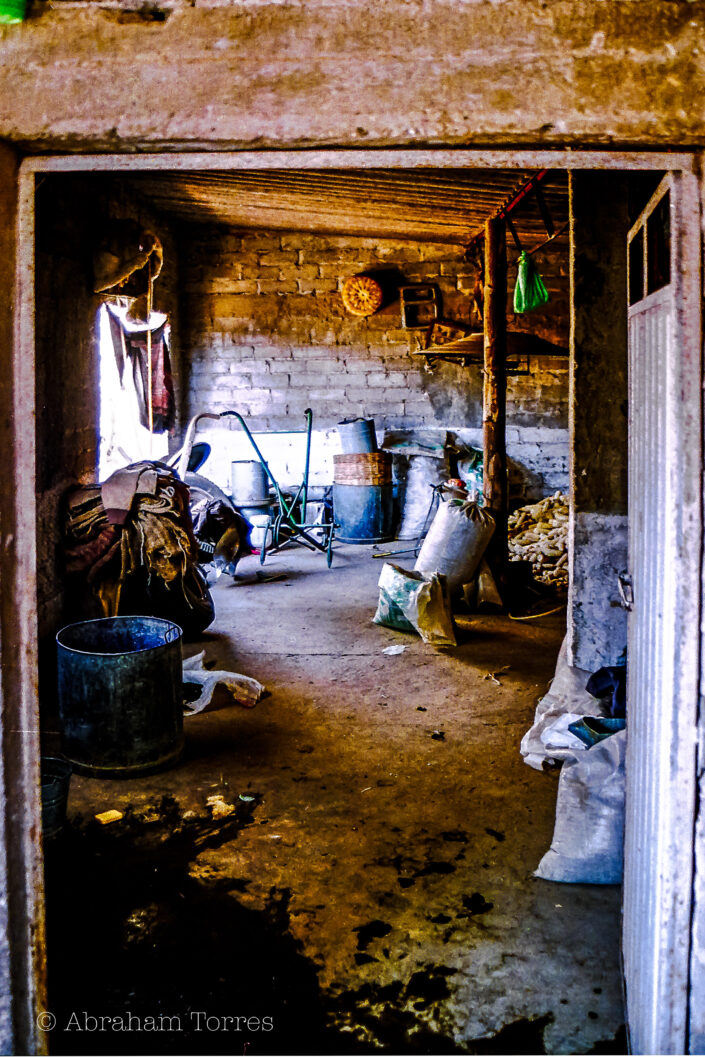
178, 73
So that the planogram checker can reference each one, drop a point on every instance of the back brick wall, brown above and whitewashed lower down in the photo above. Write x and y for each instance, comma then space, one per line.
266, 332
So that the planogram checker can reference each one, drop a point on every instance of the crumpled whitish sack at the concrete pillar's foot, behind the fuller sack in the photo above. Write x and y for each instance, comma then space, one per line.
567, 701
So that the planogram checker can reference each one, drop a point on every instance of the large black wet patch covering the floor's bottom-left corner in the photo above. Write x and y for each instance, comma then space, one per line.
145, 959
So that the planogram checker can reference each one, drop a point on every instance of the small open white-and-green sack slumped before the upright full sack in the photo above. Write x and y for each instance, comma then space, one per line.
415, 602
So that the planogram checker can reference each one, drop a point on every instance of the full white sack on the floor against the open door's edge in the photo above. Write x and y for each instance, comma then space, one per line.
588, 839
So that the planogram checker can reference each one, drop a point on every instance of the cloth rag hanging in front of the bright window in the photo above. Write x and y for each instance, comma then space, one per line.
132, 347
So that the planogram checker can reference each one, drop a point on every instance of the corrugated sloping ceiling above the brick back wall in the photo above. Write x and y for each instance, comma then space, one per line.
437, 206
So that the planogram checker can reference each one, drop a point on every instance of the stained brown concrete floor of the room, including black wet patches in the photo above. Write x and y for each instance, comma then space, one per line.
375, 891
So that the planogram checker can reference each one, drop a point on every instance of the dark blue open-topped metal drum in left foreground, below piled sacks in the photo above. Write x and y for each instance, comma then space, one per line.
121, 696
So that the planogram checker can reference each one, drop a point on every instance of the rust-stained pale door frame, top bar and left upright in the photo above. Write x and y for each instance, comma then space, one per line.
21, 636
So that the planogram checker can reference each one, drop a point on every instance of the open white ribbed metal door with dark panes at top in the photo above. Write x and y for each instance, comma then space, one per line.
664, 636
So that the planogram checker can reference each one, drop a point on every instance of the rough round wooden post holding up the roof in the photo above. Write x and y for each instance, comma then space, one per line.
494, 394
